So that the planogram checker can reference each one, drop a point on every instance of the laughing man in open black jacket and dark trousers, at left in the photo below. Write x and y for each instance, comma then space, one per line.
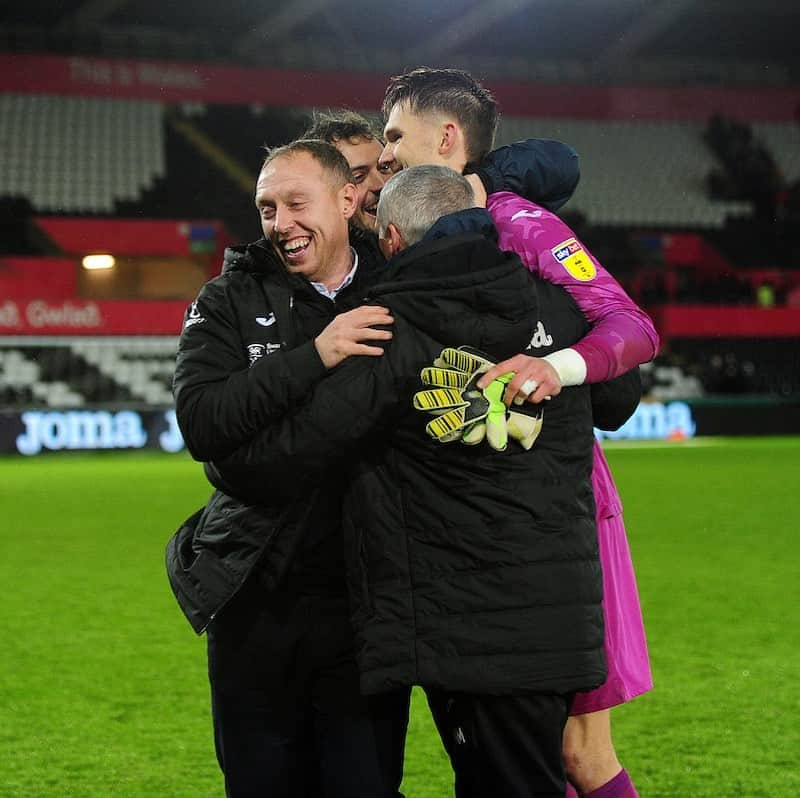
265, 574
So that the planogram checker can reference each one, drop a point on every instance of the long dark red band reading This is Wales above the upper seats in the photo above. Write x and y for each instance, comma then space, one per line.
174, 82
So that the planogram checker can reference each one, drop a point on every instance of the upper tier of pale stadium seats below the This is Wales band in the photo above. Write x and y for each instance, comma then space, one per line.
653, 170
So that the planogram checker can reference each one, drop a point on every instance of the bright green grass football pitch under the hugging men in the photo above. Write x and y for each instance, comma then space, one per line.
103, 689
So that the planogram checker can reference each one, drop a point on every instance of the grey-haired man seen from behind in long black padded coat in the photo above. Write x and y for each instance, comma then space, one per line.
461, 578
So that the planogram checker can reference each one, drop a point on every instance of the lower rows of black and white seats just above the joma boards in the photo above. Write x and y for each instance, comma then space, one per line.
136, 372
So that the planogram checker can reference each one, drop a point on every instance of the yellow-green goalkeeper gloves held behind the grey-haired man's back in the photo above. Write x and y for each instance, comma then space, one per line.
458, 368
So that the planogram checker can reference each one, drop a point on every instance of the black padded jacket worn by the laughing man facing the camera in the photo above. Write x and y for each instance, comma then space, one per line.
246, 357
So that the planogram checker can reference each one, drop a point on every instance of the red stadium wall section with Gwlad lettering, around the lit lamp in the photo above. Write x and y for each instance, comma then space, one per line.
55, 296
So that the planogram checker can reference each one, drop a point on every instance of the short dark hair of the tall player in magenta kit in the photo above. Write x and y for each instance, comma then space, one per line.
453, 92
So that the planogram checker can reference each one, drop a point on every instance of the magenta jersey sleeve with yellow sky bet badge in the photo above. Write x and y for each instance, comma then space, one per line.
622, 334
